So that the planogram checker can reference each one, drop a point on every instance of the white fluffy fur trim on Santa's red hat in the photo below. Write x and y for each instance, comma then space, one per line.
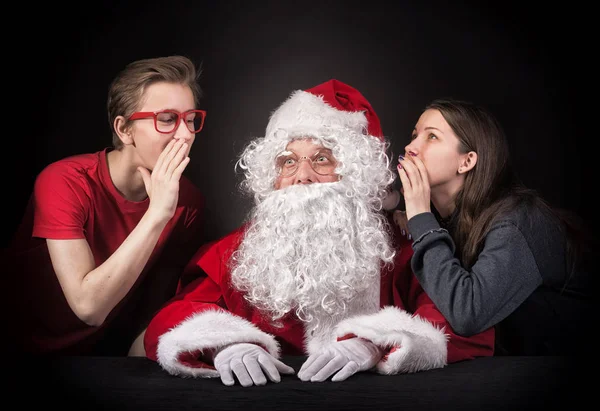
304, 112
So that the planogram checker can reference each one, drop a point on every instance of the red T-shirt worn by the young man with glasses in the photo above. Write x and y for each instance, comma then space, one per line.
75, 198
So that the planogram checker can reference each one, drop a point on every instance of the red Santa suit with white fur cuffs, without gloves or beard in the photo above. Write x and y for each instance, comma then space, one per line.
209, 314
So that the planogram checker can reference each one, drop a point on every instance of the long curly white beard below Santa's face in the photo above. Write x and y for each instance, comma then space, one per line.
311, 249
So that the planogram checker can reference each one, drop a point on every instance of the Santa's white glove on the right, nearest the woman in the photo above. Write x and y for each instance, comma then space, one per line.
348, 356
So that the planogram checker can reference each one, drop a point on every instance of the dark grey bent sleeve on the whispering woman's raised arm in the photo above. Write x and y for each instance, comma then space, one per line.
503, 276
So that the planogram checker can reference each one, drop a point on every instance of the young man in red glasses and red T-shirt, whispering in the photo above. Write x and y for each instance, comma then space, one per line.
105, 235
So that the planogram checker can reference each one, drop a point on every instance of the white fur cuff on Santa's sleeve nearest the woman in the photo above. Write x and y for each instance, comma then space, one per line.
415, 343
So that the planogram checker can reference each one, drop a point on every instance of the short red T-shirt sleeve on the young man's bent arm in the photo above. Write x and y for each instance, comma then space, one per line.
61, 204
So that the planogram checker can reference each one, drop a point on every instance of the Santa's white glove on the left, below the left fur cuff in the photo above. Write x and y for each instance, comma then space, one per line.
250, 363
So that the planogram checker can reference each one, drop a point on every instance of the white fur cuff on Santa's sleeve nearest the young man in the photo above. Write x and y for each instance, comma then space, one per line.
208, 330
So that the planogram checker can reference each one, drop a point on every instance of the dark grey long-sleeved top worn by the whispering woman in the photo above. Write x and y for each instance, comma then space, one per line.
518, 283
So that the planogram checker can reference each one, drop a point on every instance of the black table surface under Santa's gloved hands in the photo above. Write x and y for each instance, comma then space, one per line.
128, 383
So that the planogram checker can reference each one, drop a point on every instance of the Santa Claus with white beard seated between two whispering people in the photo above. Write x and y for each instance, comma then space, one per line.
316, 270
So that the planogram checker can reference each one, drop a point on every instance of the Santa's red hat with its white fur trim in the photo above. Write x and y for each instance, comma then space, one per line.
330, 104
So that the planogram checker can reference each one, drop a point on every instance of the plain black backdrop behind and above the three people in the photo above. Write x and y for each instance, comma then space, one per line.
527, 63
